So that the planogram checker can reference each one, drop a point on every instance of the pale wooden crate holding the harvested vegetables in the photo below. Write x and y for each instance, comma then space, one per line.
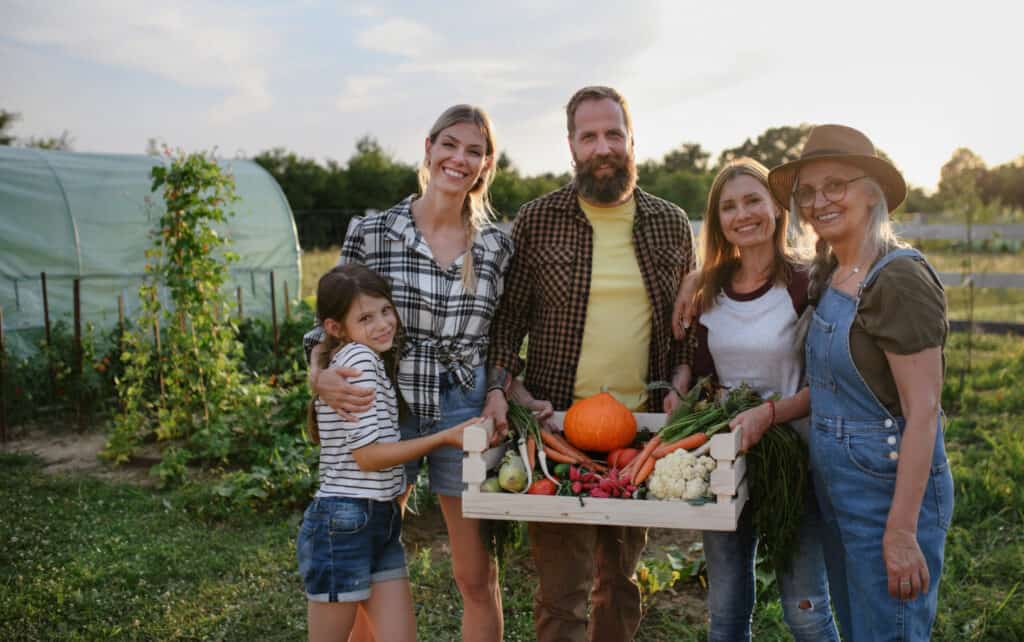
729, 484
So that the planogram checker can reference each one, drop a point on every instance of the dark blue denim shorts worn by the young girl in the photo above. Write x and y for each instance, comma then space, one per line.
347, 544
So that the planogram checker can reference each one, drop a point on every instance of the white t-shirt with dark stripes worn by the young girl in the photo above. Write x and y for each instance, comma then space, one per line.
339, 475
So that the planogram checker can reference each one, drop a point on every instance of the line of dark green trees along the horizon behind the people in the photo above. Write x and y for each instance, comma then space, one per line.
325, 196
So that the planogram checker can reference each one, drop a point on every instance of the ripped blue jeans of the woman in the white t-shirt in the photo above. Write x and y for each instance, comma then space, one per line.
803, 586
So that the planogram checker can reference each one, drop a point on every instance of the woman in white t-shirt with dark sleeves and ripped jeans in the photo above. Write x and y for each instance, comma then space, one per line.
751, 293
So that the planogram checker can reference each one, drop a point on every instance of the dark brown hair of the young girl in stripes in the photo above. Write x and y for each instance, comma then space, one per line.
336, 292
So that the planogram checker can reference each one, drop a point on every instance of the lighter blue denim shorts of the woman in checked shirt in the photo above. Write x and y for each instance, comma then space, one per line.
457, 405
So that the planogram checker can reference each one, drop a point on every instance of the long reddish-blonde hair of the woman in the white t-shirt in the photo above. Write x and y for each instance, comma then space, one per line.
720, 258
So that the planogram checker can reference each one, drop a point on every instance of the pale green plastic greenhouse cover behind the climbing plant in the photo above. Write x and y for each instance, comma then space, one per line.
89, 217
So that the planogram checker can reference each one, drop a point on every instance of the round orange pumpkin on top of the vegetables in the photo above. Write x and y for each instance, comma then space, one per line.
600, 423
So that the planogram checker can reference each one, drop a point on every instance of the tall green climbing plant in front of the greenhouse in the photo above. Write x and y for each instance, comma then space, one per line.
195, 357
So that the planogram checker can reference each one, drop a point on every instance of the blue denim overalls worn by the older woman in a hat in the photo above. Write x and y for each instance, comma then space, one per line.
856, 448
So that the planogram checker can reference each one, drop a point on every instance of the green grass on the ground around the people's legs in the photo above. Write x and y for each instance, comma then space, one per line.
86, 560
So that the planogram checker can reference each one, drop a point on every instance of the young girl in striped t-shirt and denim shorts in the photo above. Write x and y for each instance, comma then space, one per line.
350, 550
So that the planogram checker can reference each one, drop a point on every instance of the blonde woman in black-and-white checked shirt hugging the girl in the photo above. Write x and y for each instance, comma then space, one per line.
446, 264
